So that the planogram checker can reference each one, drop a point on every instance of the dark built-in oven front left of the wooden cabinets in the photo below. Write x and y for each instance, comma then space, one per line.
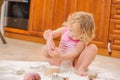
18, 14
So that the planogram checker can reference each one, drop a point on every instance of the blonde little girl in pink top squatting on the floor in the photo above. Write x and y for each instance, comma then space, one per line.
76, 34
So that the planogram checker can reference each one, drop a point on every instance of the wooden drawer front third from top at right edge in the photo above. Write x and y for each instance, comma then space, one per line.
115, 26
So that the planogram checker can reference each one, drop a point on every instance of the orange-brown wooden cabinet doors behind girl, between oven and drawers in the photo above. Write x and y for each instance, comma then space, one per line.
52, 13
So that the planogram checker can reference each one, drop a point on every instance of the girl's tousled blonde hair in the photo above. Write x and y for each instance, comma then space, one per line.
86, 24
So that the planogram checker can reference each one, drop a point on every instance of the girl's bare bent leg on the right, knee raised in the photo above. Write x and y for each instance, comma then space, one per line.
85, 59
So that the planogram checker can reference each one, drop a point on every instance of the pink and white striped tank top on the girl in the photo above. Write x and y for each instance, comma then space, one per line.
66, 43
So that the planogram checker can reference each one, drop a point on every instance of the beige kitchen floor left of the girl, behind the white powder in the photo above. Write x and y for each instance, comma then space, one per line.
20, 50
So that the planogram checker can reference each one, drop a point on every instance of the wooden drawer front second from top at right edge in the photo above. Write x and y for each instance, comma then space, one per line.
115, 11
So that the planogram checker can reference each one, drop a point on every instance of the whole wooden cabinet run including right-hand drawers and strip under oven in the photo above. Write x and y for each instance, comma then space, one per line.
50, 14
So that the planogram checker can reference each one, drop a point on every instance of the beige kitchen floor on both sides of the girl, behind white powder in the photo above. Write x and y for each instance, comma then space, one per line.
19, 50
